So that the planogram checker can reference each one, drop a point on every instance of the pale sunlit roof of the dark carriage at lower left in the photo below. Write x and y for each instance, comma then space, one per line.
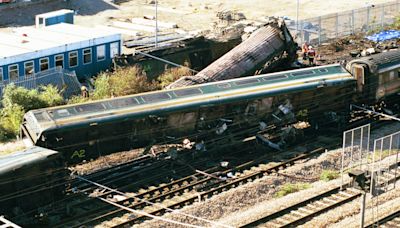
23, 158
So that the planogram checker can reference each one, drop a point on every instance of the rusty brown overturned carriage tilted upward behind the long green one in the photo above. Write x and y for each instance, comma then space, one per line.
265, 49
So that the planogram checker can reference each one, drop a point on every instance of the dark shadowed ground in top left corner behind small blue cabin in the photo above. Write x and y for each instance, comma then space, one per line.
25, 15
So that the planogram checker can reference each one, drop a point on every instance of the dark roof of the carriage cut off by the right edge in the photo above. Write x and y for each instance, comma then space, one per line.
381, 62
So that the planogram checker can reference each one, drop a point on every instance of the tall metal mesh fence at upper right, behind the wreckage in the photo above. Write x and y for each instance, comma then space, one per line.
320, 29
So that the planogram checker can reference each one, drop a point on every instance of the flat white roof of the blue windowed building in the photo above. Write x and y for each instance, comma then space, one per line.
28, 43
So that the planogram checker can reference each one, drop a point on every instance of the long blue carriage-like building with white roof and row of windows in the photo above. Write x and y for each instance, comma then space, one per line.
87, 51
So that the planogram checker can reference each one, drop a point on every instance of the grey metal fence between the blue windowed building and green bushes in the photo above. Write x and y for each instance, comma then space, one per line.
65, 81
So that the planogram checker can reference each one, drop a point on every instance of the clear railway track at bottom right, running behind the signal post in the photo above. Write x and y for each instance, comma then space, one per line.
307, 209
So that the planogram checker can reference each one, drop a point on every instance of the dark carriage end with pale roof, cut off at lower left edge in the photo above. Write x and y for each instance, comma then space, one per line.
30, 179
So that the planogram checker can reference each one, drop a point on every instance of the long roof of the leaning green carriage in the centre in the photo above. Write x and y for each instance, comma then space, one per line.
242, 88
